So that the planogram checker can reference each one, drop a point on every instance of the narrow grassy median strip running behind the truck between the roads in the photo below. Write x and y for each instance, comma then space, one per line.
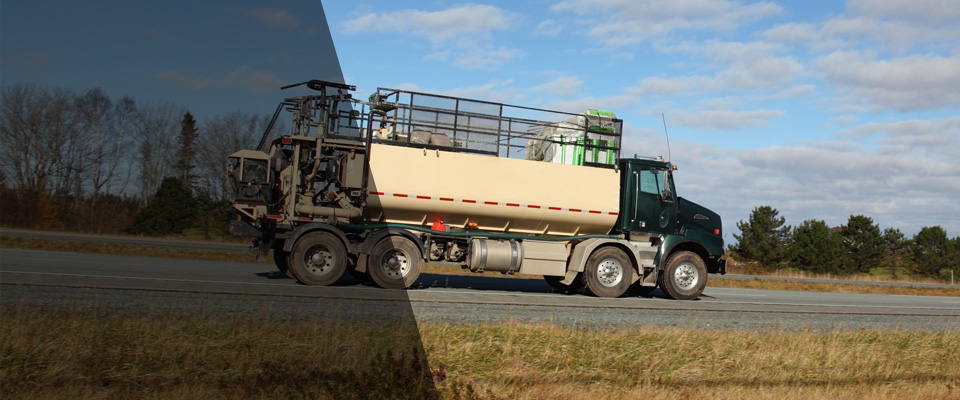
107, 248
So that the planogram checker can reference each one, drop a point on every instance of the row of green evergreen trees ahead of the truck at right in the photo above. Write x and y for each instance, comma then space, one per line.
858, 247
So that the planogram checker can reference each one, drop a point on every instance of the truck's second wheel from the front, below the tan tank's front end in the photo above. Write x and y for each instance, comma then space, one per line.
608, 272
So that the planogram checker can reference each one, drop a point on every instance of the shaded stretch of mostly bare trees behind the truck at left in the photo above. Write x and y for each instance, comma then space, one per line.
83, 161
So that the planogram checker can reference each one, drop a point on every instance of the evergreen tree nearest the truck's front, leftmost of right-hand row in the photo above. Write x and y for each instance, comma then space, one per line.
763, 237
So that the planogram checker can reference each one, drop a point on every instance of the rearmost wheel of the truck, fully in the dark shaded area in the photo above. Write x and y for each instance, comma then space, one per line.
318, 259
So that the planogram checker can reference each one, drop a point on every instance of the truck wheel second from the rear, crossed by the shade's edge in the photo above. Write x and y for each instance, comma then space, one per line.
394, 263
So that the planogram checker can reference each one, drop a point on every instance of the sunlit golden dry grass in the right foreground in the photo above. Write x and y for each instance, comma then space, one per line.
543, 361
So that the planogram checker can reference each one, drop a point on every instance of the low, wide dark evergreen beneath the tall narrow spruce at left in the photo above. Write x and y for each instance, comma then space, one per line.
173, 209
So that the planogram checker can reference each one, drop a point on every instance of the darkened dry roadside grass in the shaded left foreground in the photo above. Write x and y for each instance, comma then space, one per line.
61, 353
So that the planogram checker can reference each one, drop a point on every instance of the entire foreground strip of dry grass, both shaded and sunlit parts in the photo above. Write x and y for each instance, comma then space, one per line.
55, 353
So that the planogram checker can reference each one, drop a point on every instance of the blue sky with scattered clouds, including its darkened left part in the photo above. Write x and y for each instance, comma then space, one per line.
820, 109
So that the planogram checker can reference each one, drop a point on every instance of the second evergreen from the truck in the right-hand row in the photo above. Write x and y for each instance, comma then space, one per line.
814, 248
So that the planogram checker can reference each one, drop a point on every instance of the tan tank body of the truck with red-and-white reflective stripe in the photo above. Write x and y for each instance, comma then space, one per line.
419, 186
